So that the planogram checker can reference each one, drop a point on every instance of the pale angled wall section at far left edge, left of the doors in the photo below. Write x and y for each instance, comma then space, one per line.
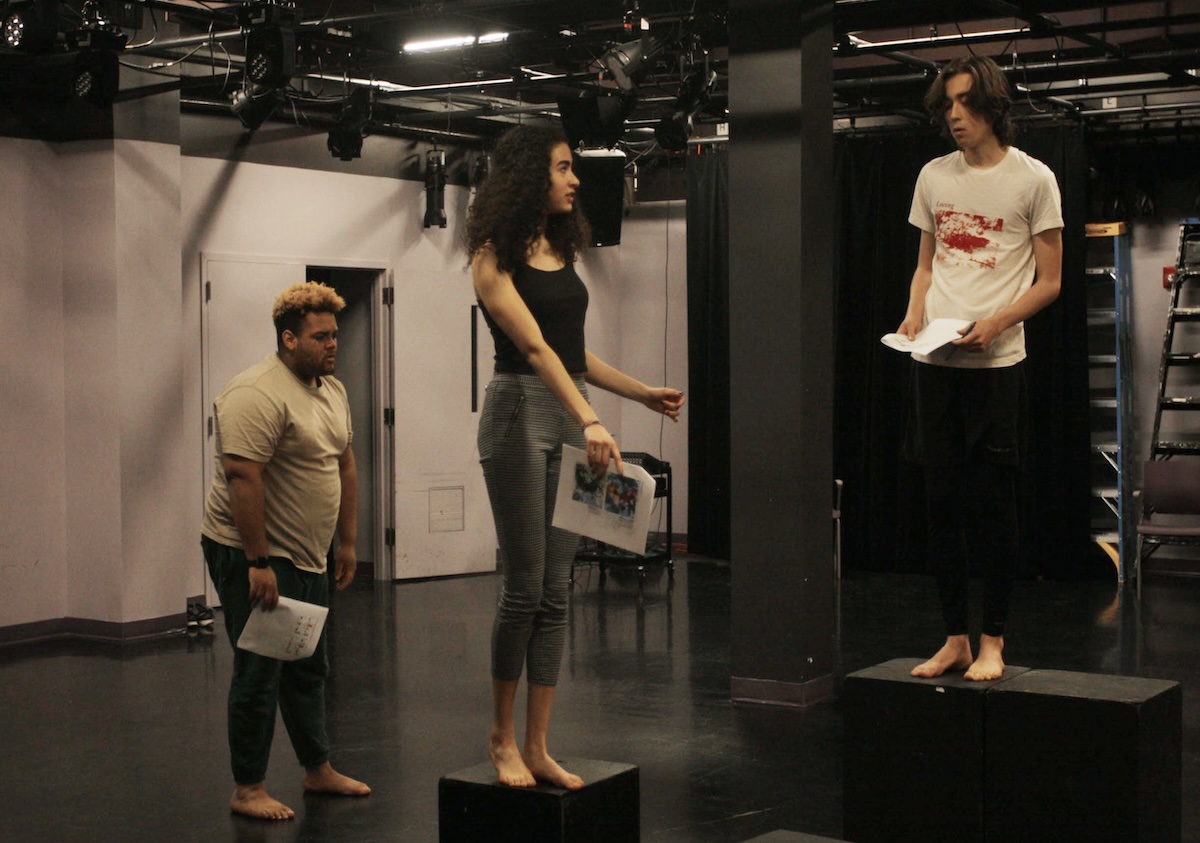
94, 516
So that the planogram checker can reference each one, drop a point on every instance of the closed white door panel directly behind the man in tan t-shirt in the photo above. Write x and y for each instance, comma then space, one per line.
237, 332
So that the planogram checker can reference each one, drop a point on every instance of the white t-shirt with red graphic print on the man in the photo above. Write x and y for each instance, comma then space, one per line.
983, 223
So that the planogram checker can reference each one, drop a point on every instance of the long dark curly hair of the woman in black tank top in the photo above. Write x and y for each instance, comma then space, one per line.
511, 205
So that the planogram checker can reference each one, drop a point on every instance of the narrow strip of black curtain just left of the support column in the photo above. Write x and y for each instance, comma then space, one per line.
709, 355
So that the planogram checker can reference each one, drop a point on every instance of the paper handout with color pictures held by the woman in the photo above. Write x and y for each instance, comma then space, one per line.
613, 509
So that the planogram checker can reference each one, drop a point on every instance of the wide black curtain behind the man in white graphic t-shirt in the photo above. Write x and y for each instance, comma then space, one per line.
883, 505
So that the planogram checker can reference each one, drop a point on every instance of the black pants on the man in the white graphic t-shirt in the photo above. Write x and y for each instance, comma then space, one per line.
967, 428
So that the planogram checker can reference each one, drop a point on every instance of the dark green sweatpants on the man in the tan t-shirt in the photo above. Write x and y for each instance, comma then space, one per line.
260, 684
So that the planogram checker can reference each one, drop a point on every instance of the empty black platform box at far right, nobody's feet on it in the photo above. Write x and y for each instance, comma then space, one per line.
1084, 757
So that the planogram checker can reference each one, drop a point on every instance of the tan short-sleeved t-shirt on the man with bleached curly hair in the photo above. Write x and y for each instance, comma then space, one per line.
301, 433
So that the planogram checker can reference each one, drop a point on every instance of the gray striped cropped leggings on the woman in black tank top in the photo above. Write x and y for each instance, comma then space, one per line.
521, 433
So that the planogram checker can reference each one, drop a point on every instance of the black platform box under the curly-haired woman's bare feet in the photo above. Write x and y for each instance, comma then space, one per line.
475, 808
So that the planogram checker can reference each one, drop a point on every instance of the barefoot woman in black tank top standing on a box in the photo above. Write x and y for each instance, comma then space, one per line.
525, 232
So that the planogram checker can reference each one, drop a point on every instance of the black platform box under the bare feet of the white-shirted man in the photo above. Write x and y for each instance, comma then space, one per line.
915, 755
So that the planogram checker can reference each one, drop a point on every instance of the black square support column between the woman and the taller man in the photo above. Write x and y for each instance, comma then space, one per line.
782, 350
